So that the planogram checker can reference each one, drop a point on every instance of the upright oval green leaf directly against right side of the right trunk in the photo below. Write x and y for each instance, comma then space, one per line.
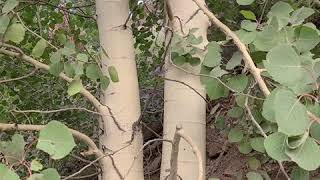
213, 56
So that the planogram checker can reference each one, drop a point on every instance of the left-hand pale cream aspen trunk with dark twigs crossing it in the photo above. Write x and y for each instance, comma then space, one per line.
121, 97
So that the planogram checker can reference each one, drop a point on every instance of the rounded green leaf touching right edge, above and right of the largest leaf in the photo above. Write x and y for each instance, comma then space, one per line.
307, 39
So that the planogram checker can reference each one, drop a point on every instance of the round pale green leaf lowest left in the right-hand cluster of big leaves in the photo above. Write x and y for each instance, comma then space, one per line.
275, 145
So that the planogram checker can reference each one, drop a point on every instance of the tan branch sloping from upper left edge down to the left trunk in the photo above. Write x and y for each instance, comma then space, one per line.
20, 55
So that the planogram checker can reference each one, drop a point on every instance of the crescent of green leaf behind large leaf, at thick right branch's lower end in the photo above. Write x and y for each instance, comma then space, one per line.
268, 111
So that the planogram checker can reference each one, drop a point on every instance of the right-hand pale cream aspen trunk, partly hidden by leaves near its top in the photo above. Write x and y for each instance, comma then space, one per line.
182, 105
